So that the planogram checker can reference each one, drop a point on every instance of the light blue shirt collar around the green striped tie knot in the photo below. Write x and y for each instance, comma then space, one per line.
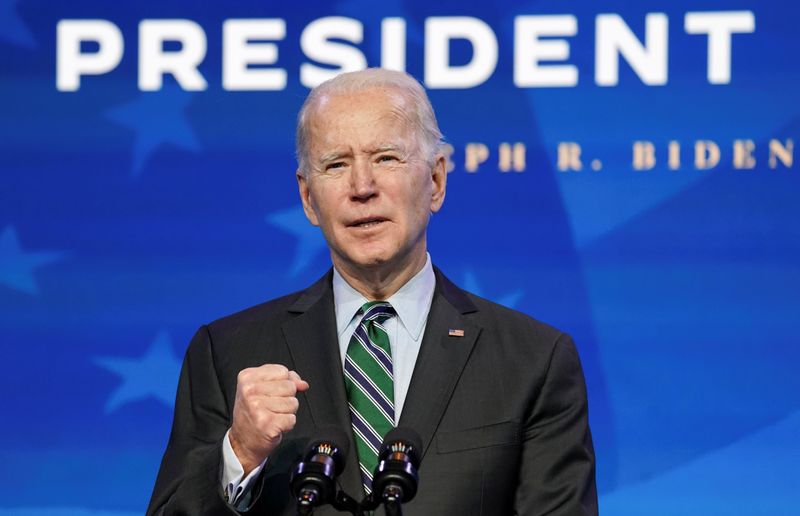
412, 302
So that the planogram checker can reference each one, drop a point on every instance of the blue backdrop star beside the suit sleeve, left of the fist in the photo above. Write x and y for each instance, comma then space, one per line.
153, 375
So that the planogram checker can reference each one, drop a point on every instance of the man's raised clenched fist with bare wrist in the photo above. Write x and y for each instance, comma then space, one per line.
265, 408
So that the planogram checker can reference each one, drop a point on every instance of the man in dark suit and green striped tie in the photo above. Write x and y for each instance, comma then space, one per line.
497, 397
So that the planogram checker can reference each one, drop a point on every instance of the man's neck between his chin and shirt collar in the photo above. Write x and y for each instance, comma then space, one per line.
379, 283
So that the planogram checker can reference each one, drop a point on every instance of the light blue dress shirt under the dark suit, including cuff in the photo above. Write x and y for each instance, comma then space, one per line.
412, 304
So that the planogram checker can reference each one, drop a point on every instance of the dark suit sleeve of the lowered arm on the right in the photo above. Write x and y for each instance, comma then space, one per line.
557, 471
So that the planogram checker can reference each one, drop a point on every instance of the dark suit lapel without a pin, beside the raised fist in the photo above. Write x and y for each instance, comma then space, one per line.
313, 344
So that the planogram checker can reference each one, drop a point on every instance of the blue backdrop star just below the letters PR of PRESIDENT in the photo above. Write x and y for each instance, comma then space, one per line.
157, 118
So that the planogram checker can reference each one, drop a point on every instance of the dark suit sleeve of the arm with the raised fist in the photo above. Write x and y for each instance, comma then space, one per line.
189, 478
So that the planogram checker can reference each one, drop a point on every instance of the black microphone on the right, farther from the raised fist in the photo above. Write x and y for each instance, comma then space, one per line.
396, 478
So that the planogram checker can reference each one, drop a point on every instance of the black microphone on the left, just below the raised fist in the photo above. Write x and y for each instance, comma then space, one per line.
313, 479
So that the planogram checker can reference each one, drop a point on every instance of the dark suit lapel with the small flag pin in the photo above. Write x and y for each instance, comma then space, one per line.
441, 359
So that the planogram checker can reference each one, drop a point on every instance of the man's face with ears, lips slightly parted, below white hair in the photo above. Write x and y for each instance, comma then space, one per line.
369, 187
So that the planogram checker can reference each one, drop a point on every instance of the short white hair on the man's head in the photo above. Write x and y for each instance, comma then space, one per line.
420, 116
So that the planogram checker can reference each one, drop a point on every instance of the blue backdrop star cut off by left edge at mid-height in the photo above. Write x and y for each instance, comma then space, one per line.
17, 266
